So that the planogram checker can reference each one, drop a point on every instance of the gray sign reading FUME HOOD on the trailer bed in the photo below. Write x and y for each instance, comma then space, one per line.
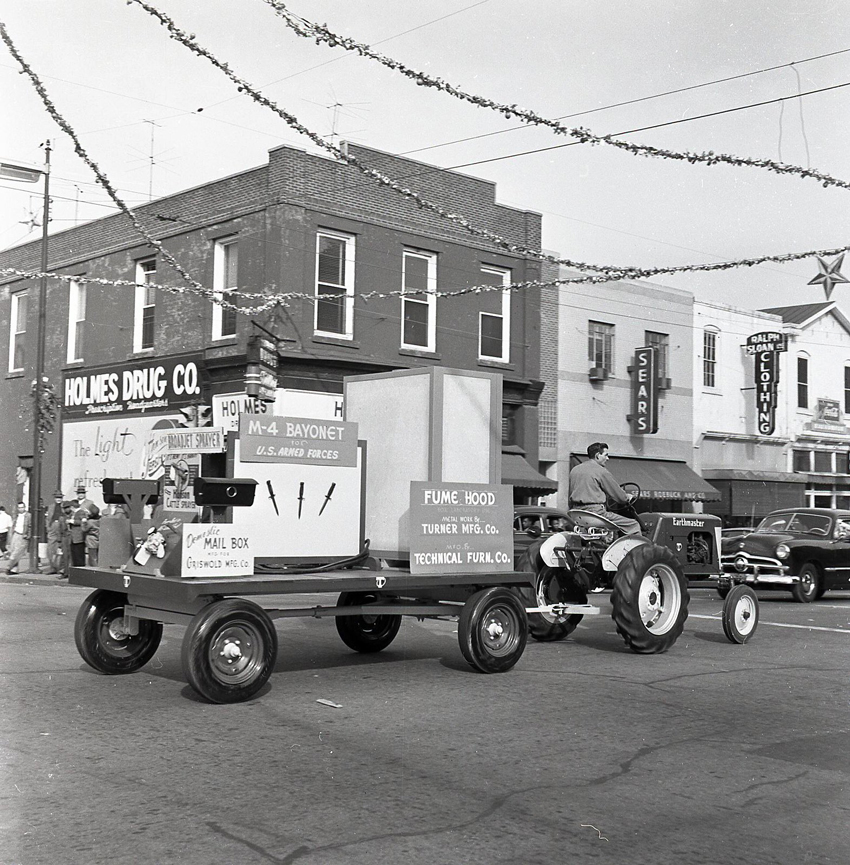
460, 528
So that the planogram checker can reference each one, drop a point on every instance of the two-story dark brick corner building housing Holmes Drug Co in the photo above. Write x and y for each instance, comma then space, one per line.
300, 223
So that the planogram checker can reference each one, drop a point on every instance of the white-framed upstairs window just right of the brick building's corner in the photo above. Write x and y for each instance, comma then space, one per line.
335, 284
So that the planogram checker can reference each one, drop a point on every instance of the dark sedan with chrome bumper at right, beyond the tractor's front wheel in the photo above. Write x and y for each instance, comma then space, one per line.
804, 550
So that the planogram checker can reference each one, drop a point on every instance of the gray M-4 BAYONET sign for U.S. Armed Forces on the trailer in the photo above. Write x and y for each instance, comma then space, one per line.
306, 441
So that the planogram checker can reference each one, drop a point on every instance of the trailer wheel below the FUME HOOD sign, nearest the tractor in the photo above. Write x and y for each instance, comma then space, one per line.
493, 630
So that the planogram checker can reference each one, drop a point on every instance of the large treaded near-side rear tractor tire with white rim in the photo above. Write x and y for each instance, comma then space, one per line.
650, 599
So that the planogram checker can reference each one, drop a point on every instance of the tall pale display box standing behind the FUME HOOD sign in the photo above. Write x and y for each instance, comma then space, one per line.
430, 424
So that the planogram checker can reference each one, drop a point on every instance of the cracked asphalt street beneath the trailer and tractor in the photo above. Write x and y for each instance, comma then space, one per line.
584, 752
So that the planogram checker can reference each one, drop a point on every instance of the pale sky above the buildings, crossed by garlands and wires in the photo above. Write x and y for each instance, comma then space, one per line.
157, 119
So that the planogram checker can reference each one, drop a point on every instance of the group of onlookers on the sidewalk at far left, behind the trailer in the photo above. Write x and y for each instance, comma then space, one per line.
72, 534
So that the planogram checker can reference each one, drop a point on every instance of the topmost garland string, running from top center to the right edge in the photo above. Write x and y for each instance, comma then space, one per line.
321, 33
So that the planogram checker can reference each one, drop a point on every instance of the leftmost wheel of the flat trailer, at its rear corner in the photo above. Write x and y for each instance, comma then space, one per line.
103, 641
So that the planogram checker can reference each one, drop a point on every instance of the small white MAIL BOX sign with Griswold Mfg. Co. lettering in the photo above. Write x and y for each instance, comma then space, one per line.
216, 550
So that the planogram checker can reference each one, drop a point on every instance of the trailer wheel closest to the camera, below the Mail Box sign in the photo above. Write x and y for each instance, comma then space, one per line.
229, 650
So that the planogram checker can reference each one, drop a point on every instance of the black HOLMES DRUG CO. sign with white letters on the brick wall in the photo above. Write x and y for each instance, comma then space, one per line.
139, 387
